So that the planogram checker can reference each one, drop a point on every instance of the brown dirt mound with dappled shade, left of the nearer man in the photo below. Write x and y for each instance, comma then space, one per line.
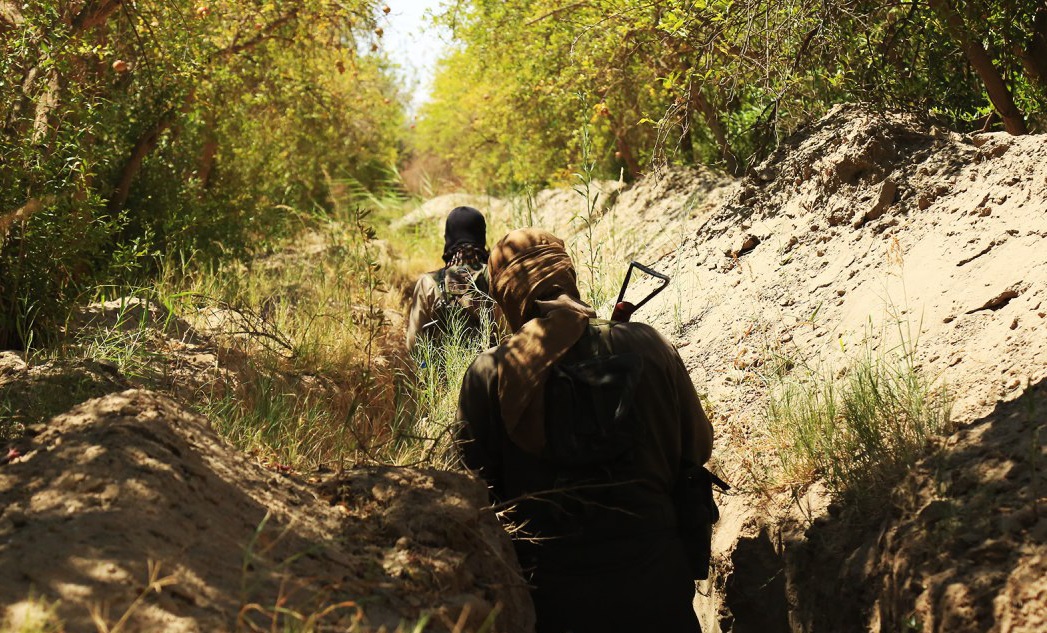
133, 478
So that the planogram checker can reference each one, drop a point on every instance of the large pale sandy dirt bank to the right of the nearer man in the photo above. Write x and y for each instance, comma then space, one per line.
864, 228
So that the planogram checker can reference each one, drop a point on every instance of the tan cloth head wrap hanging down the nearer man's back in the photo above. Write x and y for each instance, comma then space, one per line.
533, 282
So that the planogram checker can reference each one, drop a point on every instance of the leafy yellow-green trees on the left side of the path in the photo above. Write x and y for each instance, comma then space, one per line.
135, 132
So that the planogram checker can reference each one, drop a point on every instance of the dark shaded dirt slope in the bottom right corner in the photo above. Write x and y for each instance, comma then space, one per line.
964, 549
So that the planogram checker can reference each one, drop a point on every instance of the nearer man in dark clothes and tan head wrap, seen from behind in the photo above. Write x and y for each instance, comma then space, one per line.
591, 492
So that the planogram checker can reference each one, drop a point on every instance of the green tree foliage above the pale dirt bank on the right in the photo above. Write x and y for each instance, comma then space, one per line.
712, 81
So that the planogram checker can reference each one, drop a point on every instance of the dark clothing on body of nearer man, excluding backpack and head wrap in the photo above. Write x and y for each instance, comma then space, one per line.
602, 531
